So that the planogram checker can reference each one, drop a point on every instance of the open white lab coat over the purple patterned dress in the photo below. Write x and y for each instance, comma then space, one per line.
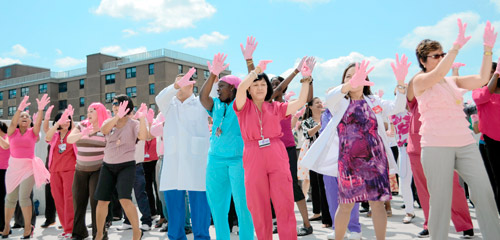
323, 154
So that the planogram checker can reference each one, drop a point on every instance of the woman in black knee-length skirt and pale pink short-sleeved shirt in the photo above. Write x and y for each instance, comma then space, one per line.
118, 168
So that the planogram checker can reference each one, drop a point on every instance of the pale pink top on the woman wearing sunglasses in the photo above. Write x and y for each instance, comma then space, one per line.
442, 116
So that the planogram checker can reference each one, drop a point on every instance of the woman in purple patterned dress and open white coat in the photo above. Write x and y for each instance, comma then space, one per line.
354, 145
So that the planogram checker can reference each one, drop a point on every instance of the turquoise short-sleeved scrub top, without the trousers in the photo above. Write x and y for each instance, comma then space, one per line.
229, 143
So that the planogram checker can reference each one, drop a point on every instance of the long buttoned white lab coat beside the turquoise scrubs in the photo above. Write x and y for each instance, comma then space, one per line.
186, 139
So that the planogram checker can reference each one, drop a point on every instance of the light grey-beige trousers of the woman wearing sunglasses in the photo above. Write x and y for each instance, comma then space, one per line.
439, 164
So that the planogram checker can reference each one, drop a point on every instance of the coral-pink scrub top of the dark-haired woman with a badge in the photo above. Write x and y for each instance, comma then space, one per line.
271, 115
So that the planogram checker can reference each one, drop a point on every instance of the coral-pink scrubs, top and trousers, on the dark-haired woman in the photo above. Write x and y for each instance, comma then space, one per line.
267, 171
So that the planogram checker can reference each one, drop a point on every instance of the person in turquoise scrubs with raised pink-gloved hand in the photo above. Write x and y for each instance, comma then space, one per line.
225, 174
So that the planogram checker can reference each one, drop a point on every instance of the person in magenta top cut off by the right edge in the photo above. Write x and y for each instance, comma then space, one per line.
487, 100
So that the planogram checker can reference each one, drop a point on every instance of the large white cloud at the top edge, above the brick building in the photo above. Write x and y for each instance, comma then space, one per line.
163, 15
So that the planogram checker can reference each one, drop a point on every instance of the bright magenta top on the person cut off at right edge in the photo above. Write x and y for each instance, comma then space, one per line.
488, 110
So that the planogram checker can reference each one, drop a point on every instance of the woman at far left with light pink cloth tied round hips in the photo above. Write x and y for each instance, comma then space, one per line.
25, 169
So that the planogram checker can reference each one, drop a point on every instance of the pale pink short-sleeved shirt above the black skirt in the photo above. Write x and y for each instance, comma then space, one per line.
120, 146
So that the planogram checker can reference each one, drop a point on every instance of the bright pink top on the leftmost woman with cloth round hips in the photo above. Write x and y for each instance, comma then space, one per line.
23, 145
